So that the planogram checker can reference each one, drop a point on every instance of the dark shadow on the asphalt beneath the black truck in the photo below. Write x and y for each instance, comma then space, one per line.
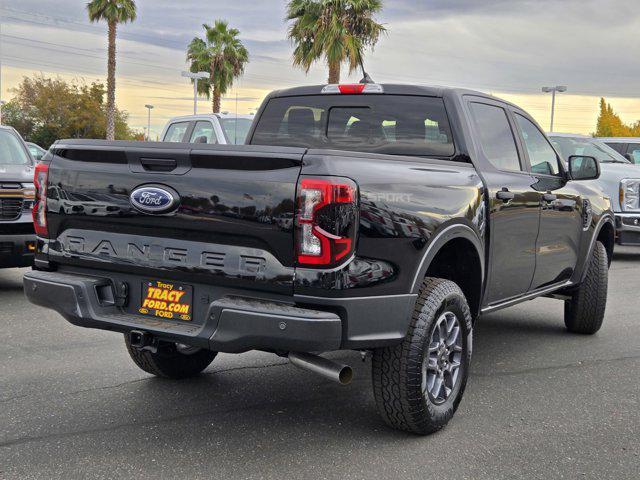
243, 406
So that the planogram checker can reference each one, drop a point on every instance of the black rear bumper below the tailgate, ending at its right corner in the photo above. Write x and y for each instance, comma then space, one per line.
233, 324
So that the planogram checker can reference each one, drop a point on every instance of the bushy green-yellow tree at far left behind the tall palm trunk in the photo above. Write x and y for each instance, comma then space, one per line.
45, 109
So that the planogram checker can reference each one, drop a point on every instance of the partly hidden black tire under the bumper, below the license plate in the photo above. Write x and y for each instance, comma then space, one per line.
169, 362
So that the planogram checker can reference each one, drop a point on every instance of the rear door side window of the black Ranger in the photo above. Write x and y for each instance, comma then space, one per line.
496, 136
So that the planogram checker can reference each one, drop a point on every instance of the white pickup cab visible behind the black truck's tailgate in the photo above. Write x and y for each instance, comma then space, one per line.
221, 128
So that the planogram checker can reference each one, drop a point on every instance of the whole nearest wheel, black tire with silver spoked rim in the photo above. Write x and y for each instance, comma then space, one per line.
419, 383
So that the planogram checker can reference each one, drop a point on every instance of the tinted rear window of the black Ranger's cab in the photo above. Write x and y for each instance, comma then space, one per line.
388, 124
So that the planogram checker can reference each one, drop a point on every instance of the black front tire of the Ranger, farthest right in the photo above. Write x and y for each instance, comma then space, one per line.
584, 312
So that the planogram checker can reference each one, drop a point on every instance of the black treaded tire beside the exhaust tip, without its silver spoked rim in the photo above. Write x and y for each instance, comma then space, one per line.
398, 384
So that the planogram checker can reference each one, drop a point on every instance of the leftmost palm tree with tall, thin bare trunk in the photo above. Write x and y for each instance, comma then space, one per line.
113, 12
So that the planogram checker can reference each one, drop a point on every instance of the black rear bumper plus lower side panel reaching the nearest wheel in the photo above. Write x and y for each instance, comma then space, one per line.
229, 321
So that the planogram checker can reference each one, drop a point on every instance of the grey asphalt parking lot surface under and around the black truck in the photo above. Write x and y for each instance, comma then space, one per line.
541, 403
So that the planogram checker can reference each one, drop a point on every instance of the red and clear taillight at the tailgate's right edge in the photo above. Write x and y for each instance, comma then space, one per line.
326, 221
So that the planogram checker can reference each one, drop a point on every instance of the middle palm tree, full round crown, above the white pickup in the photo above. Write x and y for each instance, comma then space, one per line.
222, 54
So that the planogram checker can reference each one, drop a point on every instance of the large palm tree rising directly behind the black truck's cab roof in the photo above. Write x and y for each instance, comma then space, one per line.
336, 30
